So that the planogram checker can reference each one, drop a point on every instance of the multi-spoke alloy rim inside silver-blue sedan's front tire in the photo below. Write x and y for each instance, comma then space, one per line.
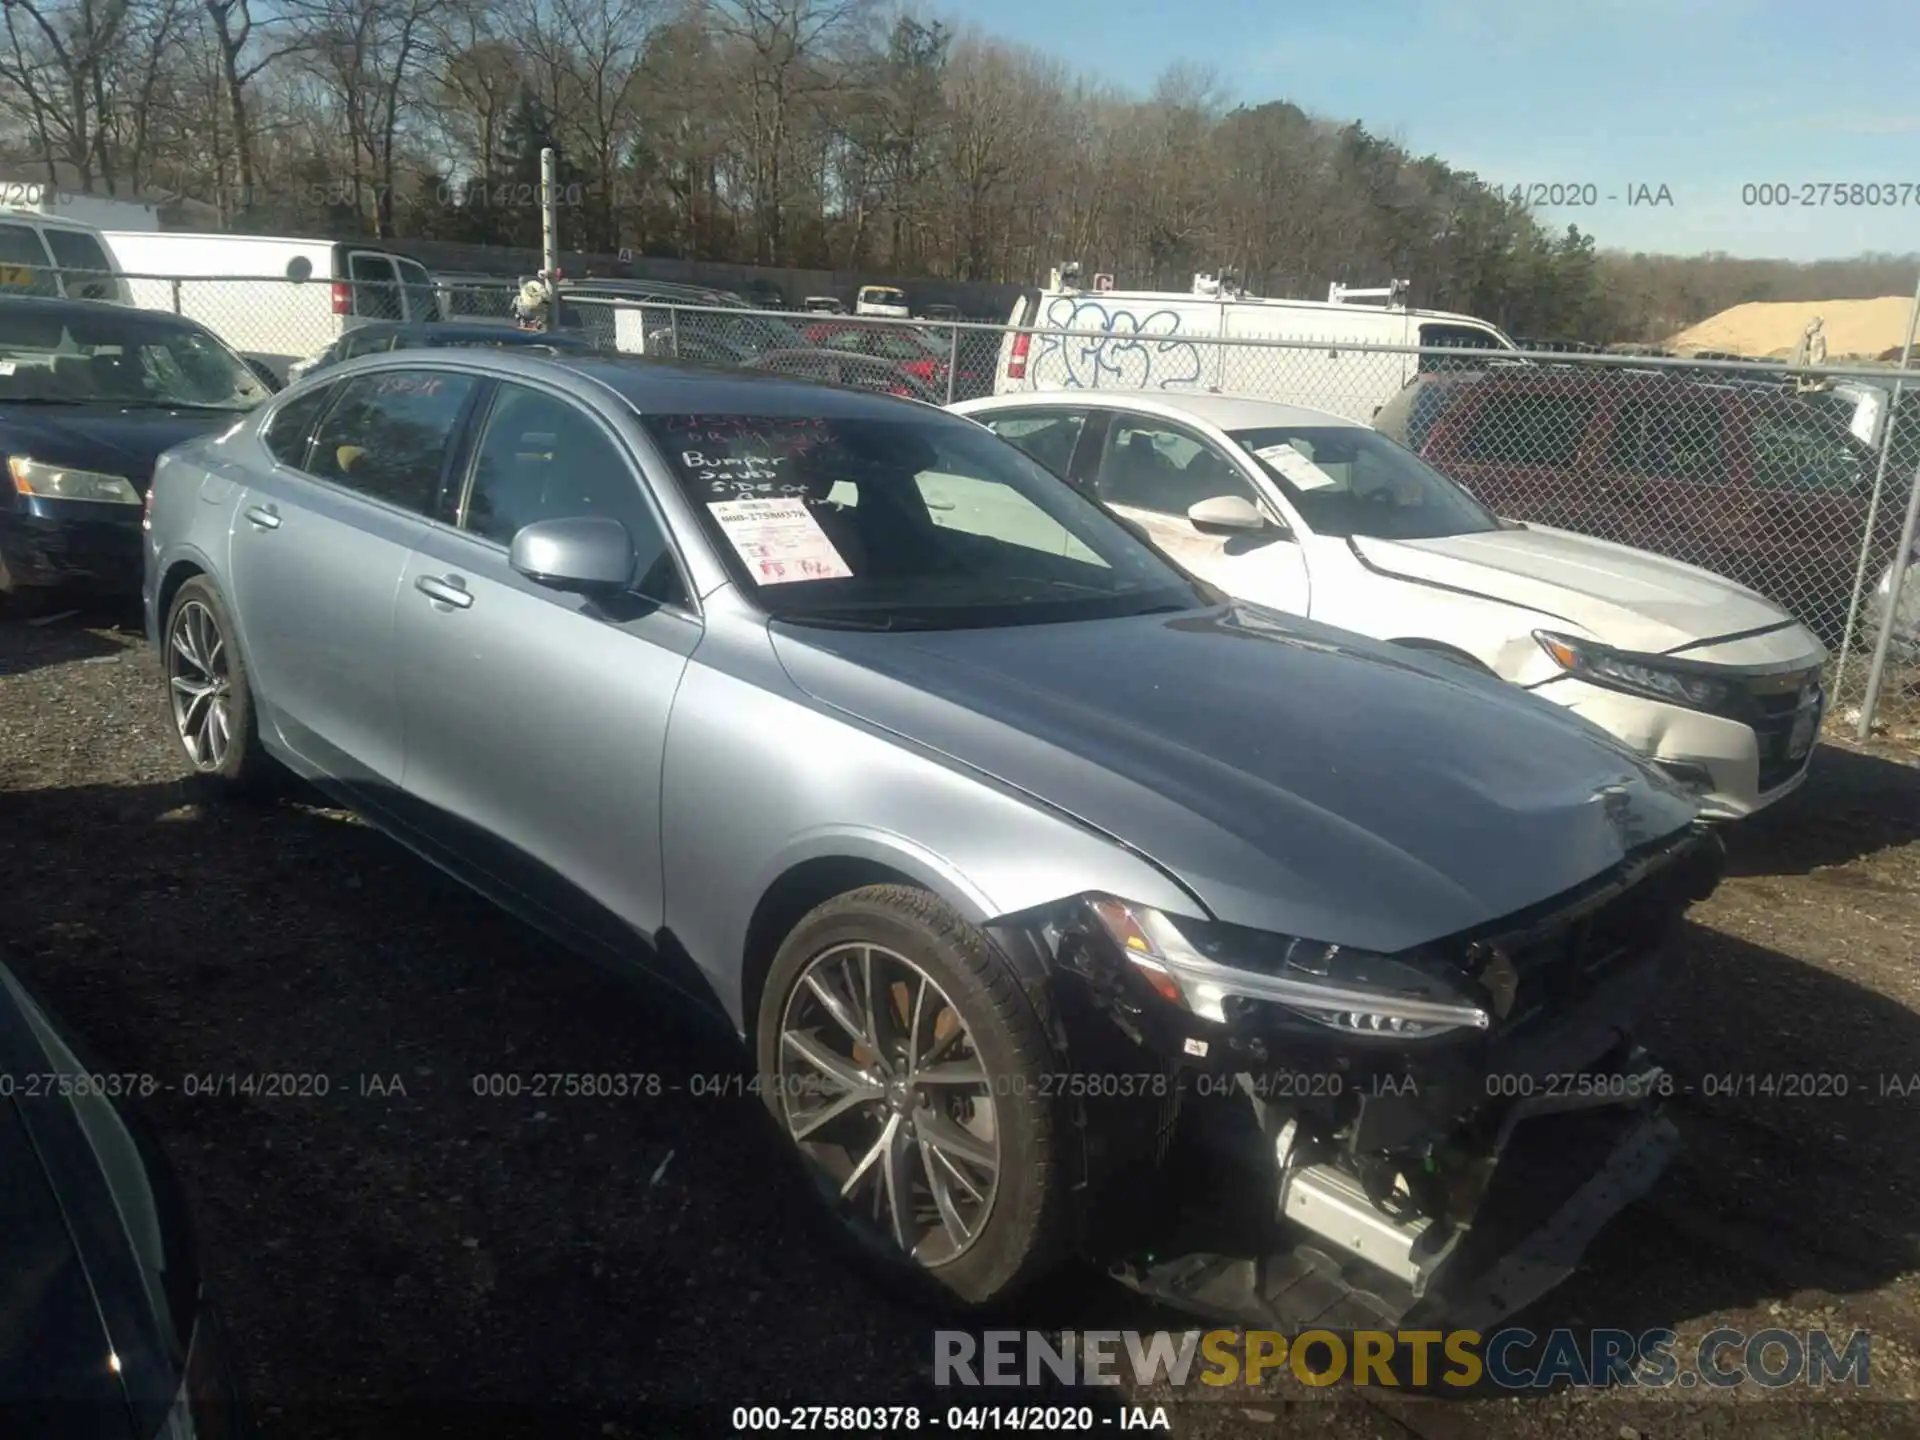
886, 1093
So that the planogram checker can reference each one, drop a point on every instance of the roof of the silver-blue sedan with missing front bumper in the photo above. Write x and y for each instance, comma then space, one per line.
665, 387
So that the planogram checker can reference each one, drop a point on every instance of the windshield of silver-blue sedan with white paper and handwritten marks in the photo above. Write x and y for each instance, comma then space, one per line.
913, 523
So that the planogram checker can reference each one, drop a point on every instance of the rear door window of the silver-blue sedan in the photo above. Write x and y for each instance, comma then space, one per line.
391, 435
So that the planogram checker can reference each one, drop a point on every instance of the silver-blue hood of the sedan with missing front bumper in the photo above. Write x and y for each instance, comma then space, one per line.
1291, 777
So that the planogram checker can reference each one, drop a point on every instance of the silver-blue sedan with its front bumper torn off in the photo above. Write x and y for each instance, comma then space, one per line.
1020, 859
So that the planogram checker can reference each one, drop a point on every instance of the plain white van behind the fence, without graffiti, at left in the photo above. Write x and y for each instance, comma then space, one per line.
274, 299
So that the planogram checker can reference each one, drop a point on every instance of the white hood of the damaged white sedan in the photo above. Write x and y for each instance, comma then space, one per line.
1621, 596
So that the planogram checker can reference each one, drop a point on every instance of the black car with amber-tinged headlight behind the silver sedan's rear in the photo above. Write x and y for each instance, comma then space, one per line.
91, 395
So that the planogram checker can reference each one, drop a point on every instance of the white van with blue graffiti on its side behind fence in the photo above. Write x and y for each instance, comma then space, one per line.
1153, 345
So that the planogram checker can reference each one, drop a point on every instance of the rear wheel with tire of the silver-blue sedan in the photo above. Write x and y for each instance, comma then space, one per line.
208, 694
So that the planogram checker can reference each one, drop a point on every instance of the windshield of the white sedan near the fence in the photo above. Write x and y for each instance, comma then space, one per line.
1347, 481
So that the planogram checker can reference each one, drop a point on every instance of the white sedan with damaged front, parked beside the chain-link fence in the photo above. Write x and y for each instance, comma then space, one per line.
1324, 517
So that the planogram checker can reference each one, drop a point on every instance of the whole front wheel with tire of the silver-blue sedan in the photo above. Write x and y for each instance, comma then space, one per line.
903, 1061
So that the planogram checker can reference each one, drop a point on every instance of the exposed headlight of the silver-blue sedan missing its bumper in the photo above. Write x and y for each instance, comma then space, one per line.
1218, 972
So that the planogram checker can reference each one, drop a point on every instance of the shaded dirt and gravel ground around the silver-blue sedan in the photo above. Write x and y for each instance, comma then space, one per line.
406, 1255
